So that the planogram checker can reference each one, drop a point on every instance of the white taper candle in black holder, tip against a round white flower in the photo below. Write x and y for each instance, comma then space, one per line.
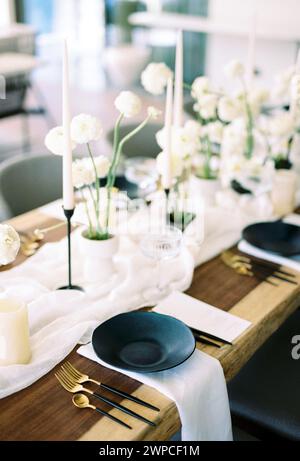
167, 171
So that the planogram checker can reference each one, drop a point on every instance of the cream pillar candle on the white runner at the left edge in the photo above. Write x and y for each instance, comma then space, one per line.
14, 333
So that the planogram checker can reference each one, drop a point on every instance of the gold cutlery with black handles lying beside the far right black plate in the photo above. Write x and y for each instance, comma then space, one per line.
260, 269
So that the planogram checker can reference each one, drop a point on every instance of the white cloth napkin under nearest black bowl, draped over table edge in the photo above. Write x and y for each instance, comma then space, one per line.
199, 390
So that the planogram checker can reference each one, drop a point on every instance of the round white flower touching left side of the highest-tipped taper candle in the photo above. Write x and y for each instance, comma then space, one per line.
155, 77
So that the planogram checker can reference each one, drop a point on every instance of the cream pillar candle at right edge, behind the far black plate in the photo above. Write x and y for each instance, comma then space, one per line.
284, 192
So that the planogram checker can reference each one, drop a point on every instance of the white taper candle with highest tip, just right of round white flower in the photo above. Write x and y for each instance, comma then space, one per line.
178, 96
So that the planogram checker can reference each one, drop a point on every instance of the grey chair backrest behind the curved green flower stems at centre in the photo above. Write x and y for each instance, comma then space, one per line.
143, 144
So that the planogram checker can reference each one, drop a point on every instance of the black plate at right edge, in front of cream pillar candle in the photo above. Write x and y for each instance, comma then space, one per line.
277, 237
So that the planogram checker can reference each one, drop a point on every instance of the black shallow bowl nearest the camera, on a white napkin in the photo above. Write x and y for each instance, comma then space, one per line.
143, 342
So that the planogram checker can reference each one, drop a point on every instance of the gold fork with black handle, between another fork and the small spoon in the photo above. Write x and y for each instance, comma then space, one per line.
70, 385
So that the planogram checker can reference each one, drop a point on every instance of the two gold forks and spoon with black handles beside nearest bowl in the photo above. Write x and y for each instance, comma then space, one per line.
72, 380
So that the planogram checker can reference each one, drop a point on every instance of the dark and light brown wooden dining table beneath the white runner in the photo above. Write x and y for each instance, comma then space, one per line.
44, 410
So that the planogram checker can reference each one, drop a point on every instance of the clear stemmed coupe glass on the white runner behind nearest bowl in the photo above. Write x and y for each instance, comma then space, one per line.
160, 245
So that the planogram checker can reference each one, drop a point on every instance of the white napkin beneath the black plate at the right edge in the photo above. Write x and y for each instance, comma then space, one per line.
291, 262
